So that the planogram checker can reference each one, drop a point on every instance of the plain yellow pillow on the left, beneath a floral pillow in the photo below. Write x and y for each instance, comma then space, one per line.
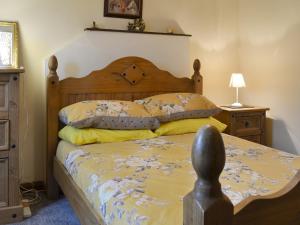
91, 135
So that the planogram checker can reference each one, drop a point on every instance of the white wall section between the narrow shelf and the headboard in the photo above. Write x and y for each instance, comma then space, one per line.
95, 50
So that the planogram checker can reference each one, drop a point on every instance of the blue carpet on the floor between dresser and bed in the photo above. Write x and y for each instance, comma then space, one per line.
57, 213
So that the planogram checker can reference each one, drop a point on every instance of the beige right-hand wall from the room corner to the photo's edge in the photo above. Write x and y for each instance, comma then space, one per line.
269, 55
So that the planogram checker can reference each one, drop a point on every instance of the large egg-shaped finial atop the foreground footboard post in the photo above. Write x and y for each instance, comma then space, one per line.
208, 155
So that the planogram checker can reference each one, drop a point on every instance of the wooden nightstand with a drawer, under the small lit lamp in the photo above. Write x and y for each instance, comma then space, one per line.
246, 123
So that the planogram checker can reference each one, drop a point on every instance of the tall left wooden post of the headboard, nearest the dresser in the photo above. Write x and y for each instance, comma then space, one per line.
52, 125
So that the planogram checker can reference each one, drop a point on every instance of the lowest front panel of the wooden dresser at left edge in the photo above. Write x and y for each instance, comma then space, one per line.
3, 182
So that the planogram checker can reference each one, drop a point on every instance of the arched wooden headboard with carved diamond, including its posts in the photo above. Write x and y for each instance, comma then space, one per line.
127, 78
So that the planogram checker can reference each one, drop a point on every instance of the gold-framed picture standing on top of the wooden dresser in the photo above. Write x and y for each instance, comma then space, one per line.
8, 44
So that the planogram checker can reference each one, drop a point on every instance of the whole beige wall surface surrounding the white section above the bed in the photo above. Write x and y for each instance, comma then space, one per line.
267, 52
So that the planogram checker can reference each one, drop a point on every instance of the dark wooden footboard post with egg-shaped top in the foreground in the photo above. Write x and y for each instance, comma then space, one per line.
206, 204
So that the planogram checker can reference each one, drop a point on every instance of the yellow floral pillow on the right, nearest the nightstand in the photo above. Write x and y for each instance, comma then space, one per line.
177, 106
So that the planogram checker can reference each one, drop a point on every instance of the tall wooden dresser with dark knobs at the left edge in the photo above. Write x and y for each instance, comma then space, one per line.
10, 201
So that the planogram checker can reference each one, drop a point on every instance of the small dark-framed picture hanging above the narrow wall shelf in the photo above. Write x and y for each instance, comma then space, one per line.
130, 9
